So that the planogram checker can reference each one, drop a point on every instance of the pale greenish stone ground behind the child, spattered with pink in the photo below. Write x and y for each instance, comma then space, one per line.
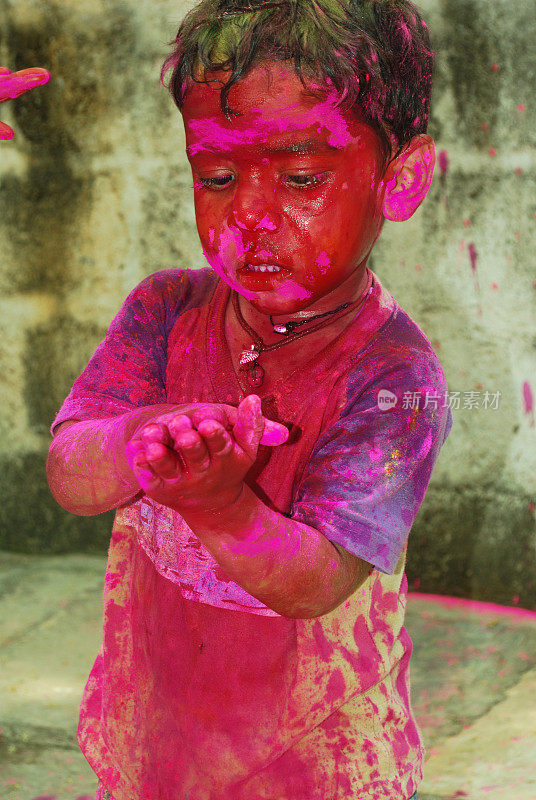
473, 685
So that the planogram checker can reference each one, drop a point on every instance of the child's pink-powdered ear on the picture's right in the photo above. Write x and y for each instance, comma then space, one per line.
408, 178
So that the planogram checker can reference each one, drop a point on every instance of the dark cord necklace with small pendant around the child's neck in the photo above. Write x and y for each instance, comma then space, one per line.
249, 358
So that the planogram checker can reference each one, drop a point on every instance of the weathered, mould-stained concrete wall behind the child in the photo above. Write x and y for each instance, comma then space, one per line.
95, 194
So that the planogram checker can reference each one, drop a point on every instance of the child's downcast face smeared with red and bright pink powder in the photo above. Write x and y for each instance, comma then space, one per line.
293, 181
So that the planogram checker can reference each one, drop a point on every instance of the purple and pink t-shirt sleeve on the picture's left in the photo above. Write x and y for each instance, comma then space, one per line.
128, 368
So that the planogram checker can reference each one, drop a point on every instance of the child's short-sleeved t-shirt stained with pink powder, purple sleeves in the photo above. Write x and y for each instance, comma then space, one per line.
201, 692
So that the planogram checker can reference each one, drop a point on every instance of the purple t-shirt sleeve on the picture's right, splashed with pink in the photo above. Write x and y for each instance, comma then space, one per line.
369, 471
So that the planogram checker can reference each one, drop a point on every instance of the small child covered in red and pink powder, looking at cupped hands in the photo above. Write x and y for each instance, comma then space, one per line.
266, 427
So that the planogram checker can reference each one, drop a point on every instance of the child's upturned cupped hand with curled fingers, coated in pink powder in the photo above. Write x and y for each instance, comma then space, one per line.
201, 467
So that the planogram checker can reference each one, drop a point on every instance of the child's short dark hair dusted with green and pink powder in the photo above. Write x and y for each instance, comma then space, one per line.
376, 53
